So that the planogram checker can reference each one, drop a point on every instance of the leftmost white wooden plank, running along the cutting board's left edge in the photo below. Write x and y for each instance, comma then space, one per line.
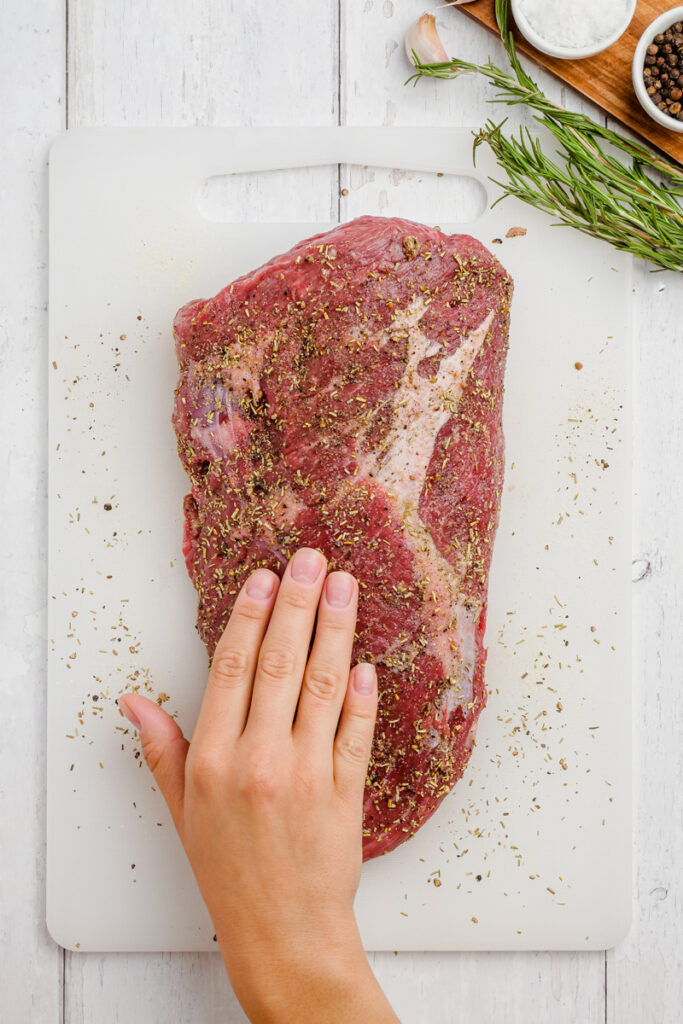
32, 84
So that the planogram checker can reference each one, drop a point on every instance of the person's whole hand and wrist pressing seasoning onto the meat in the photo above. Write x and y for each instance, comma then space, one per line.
268, 799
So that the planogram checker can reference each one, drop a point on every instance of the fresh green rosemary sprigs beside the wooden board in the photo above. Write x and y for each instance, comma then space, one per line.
586, 184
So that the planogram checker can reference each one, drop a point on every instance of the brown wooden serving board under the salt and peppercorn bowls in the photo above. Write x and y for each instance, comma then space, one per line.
606, 78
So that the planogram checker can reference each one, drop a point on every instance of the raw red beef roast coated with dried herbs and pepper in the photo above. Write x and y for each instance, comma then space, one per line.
348, 397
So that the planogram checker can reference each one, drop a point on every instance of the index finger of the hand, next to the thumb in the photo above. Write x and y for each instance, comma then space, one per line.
227, 699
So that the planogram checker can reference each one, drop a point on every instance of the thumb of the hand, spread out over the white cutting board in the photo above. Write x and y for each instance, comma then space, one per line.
164, 747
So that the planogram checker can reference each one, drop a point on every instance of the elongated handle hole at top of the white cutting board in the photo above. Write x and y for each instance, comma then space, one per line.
341, 193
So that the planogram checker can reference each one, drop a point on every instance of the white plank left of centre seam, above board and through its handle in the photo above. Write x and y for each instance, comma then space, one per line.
211, 63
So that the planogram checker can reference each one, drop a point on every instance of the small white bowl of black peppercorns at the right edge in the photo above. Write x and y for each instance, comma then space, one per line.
658, 70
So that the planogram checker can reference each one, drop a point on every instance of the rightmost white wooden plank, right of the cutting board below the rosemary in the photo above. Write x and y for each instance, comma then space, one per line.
646, 972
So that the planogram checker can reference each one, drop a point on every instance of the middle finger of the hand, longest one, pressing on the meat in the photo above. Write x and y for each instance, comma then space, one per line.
285, 650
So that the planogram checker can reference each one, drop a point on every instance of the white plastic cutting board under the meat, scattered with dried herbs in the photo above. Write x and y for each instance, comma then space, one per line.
533, 848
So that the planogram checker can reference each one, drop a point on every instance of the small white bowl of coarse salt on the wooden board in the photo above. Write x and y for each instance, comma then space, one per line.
573, 29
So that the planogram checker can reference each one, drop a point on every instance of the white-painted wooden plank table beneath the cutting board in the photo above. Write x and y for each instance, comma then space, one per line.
308, 62
